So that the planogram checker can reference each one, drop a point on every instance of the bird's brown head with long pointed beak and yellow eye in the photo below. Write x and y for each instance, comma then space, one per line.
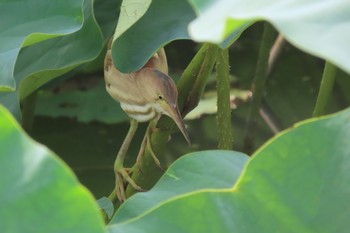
161, 92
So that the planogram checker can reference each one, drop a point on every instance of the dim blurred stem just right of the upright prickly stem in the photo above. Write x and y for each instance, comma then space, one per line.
260, 78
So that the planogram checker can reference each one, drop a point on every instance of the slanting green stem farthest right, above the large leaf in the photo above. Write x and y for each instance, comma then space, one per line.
326, 89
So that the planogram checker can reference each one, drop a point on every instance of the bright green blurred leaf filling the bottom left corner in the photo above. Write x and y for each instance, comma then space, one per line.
39, 193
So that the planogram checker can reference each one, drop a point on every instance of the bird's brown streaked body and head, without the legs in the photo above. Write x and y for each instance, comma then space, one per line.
147, 93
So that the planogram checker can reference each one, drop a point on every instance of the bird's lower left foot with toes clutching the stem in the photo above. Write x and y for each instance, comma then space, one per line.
123, 179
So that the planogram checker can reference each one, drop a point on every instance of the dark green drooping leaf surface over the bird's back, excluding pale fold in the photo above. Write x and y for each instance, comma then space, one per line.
163, 22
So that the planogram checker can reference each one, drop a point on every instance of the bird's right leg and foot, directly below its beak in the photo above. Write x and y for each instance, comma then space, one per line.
146, 142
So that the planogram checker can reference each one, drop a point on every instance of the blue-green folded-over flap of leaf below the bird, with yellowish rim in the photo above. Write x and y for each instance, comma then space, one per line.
203, 170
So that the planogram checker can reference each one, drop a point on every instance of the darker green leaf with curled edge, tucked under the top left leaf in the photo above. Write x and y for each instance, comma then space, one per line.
41, 62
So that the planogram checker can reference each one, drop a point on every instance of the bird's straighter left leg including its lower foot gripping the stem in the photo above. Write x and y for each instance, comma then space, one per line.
121, 175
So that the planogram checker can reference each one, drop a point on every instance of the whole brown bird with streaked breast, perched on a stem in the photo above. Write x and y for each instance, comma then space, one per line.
144, 95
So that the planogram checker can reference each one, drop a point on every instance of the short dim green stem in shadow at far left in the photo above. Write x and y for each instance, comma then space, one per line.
28, 111
